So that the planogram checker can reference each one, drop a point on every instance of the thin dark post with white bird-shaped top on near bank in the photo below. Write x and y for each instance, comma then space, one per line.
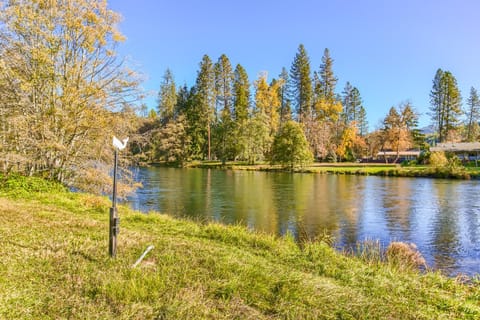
114, 225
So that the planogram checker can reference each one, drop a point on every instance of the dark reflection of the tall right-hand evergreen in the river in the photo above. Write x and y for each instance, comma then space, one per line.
445, 227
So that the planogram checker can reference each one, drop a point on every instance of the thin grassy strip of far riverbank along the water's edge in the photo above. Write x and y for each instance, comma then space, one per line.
365, 169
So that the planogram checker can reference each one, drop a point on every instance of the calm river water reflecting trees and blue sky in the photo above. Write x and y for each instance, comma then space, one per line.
442, 217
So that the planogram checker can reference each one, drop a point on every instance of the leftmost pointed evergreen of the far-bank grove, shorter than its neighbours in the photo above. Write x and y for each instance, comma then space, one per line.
167, 97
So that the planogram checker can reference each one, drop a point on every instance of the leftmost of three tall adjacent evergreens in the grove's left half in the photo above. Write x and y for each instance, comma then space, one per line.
205, 102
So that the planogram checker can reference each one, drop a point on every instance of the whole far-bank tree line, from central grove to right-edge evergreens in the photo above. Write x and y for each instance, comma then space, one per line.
292, 119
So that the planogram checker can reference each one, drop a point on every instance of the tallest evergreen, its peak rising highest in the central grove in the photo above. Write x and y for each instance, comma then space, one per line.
301, 83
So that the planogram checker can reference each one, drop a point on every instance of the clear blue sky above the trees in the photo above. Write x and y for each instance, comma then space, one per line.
389, 49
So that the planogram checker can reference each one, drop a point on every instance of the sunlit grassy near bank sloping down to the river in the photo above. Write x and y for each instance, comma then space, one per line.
54, 264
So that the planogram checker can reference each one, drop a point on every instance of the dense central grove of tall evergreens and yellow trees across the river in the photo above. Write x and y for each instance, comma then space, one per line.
221, 117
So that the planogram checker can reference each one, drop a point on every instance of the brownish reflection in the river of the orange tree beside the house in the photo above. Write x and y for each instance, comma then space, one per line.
397, 203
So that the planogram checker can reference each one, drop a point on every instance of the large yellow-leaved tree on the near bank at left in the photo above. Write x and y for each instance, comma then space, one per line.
65, 89
